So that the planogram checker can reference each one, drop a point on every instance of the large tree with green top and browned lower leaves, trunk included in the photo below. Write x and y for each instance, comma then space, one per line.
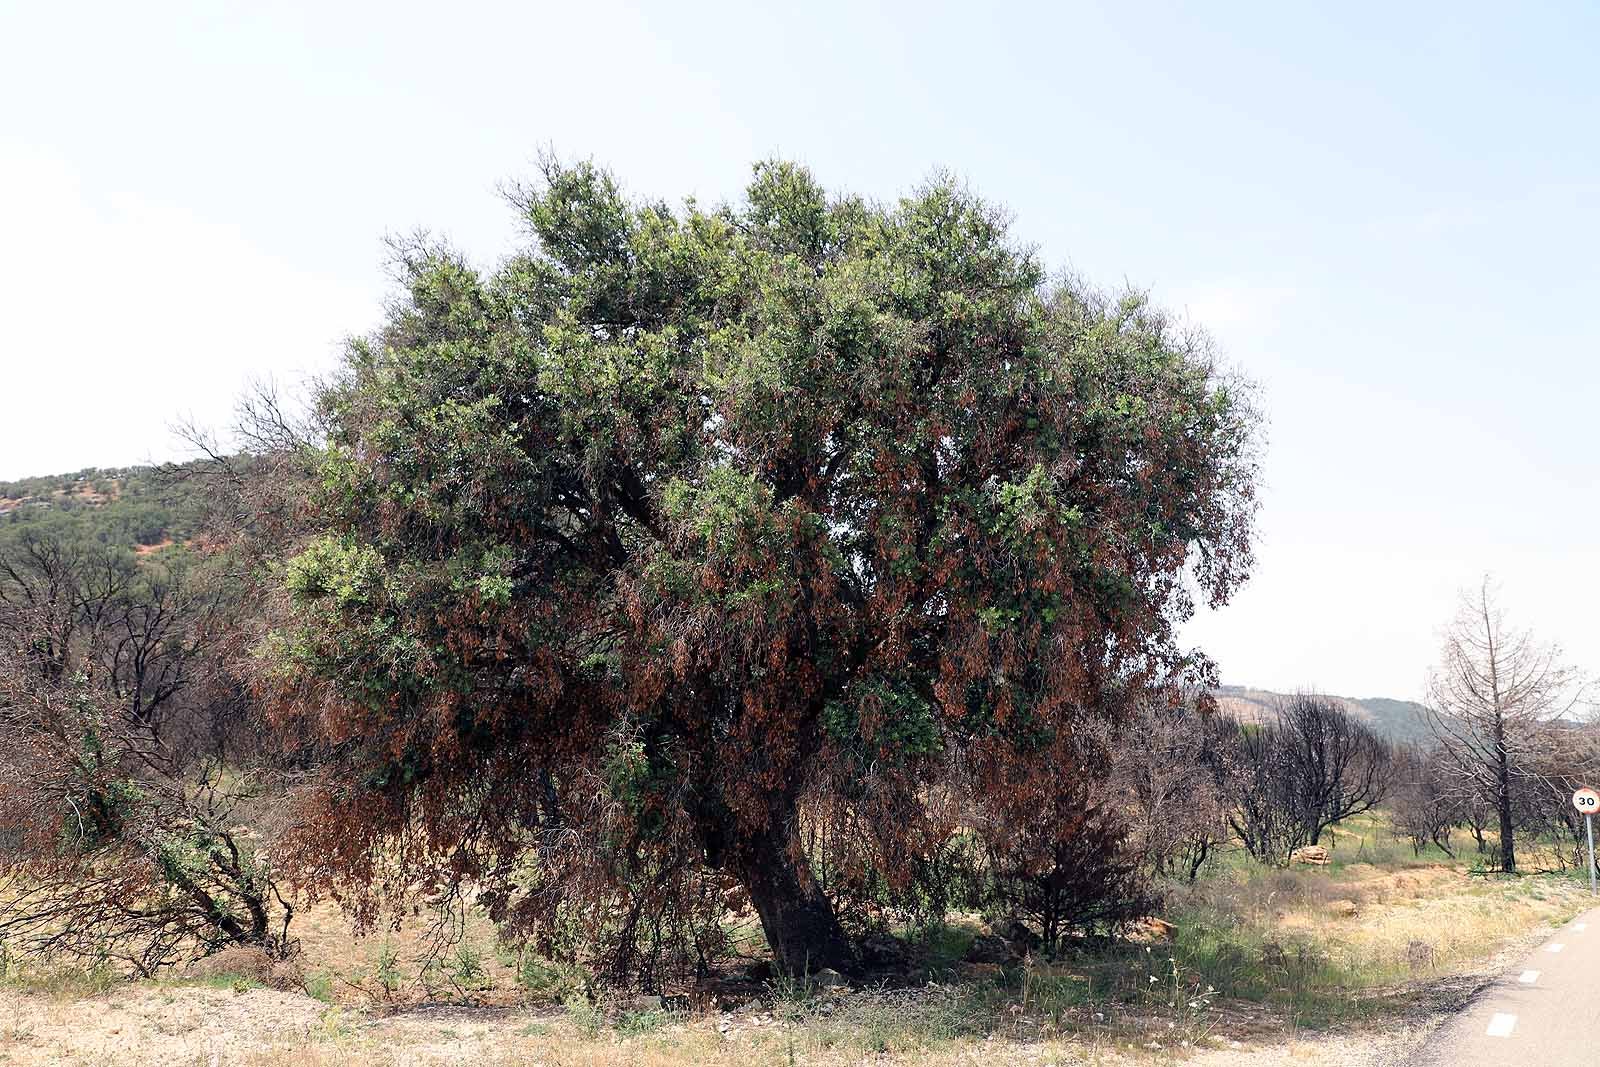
620, 549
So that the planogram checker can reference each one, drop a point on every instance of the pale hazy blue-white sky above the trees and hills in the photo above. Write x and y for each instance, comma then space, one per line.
1386, 215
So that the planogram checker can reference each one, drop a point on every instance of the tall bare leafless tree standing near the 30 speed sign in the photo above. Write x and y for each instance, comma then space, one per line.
1497, 693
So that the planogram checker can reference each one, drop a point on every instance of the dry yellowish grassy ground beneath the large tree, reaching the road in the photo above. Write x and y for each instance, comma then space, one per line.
1350, 945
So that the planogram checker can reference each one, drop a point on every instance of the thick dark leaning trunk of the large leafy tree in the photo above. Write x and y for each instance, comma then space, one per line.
796, 916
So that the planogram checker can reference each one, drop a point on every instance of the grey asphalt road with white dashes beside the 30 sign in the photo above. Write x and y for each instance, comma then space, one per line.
1543, 1013
